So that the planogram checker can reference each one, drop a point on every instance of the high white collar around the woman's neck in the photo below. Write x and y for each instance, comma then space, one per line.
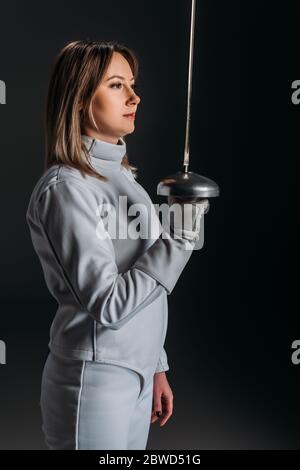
105, 155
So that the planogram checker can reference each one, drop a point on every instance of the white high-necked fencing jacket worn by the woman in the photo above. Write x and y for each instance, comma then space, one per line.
111, 292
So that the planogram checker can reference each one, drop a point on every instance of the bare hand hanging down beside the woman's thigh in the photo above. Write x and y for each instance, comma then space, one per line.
162, 398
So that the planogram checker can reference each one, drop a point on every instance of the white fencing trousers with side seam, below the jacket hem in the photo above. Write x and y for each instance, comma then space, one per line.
93, 405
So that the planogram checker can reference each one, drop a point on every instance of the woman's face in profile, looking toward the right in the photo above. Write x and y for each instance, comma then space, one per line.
114, 98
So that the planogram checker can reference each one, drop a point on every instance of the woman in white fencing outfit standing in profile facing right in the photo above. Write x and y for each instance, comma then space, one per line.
104, 379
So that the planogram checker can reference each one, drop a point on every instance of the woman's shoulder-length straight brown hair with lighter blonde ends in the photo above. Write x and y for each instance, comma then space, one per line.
78, 70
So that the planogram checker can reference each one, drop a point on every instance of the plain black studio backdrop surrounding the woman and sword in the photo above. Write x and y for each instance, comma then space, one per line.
234, 312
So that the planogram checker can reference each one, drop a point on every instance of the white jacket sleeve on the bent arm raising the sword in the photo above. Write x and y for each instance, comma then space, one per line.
67, 215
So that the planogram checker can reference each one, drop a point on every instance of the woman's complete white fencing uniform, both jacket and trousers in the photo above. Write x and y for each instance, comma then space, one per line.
107, 336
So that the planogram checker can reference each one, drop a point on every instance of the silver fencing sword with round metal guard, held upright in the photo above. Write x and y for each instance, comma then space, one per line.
186, 183
